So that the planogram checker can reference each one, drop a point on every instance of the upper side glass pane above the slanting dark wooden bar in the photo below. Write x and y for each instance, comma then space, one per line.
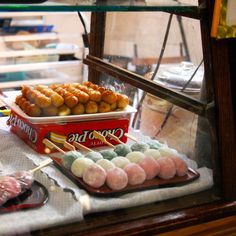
166, 49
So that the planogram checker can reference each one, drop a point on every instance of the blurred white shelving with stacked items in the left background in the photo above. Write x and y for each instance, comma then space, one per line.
56, 61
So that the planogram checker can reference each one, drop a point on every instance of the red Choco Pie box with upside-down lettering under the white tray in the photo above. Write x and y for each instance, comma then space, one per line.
79, 131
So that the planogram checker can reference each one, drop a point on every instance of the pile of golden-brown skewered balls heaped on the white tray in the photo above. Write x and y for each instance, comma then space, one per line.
69, 99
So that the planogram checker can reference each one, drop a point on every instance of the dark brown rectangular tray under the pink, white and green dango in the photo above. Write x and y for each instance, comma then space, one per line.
105, 191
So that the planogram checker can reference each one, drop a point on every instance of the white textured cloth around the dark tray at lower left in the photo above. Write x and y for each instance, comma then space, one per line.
61, 207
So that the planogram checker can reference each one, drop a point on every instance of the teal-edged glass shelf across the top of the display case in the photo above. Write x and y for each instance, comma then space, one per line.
111, 5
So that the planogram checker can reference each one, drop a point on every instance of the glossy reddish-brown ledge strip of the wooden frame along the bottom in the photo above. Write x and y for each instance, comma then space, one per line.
167, 222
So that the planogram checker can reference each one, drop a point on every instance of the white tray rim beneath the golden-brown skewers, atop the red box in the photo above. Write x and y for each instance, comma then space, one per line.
70, 118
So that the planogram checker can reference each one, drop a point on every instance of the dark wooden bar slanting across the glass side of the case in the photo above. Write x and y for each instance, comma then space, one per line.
138, 81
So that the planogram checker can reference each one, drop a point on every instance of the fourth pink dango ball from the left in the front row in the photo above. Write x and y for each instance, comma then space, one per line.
150, 166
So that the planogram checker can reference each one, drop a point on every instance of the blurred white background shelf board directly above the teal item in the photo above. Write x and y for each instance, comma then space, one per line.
39, 66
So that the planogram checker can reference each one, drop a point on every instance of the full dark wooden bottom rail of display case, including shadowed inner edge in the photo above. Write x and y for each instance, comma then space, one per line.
144, 220
